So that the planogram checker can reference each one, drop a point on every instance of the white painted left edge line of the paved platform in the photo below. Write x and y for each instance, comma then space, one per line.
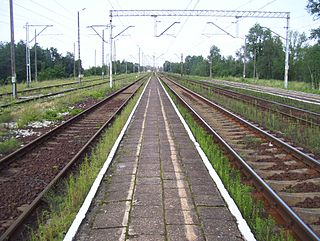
94, 188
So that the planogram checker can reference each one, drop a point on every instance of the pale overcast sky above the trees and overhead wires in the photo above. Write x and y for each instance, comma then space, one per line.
191, 36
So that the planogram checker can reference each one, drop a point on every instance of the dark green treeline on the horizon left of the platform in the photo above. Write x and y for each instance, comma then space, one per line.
52, 65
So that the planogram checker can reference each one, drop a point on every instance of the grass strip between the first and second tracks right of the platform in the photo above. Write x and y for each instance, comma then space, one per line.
305, 136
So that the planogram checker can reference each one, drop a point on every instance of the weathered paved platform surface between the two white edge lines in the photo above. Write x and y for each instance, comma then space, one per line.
158, 187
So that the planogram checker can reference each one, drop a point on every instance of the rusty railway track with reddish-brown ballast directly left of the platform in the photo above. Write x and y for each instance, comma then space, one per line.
28, 173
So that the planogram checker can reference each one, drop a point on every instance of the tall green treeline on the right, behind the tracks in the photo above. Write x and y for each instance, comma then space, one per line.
263, 55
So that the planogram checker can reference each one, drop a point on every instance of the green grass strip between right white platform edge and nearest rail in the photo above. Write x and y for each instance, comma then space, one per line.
262, 225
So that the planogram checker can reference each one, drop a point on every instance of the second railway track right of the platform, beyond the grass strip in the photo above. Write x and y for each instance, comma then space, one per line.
304, 117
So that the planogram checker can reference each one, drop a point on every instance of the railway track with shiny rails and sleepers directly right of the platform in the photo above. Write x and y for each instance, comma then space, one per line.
289, 179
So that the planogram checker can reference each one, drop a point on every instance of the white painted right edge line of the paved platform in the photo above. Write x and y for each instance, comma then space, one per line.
241, 222
